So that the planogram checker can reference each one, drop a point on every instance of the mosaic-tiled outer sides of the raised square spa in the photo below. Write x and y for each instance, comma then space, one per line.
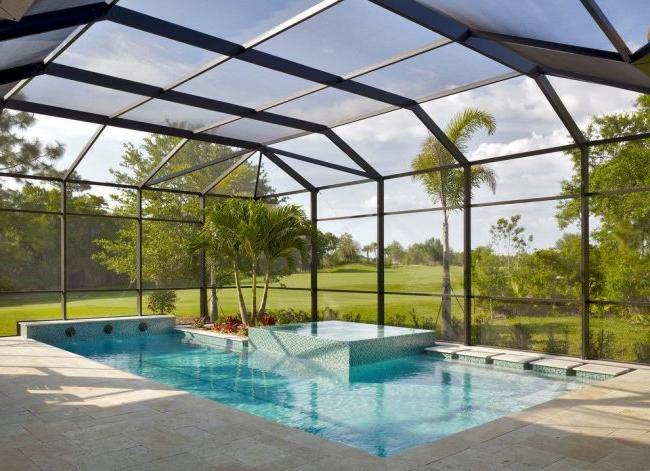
335, 353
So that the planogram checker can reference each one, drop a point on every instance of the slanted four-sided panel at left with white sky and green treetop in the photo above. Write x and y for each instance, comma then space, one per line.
120, 156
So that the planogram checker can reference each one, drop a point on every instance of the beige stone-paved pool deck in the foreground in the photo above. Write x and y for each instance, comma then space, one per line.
60, 411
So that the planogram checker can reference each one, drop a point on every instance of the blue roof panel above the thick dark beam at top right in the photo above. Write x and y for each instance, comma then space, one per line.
560, 21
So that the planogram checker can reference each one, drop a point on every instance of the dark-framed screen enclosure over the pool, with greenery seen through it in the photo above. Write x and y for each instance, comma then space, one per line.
529, 228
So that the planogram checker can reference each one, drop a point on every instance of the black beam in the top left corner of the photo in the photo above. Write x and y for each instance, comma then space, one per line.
53, 20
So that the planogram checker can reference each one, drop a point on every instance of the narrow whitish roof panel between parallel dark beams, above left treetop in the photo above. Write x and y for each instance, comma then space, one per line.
167, 113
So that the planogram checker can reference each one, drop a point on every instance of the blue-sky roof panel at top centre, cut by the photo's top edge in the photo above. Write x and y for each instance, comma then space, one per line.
348, 36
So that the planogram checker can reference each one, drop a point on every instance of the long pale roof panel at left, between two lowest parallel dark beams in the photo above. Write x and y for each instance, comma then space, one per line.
64, 93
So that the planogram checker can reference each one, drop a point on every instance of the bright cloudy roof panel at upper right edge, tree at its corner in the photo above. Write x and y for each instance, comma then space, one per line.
585, 100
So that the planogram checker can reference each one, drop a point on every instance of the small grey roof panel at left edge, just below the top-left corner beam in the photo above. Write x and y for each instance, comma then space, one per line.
29, 49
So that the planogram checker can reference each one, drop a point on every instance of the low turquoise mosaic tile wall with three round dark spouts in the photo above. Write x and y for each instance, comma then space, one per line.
89, 329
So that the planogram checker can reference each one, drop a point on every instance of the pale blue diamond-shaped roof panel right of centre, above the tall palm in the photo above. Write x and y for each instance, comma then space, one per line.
435, 71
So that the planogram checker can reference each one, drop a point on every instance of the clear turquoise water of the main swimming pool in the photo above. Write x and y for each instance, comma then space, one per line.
382, 408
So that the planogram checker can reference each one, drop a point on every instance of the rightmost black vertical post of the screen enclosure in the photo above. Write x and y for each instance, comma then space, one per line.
584, 260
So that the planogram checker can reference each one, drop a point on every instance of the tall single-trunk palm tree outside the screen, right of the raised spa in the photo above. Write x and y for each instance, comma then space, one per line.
445, 187
